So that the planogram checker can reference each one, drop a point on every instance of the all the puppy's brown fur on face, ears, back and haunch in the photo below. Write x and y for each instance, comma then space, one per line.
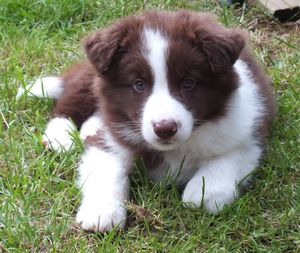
200, 48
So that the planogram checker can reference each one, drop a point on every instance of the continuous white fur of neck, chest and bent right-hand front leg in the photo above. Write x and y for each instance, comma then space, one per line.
221, 153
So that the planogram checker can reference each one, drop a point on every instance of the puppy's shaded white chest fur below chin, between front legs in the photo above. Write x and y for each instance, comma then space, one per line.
181, 164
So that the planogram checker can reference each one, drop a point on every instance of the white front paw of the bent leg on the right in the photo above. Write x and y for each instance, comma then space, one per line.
213, 198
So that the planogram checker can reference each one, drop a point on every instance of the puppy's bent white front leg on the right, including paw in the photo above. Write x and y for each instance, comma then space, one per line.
215, 183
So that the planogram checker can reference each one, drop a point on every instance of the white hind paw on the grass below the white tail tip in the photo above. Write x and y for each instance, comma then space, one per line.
58, 134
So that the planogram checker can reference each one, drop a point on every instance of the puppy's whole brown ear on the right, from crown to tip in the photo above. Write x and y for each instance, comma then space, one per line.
220, 45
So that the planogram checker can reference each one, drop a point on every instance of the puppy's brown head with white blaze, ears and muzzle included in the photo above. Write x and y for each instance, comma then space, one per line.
163, 74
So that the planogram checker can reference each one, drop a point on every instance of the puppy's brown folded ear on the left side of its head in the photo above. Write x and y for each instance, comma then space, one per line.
102, 46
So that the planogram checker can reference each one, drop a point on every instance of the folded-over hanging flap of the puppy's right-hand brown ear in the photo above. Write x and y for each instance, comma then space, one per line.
221, 46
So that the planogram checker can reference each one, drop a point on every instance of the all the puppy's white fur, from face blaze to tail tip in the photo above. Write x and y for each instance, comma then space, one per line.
217, 155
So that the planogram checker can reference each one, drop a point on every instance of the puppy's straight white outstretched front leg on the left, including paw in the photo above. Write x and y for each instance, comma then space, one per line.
103, 180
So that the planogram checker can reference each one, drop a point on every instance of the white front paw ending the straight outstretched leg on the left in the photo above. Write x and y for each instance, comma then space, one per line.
101, 218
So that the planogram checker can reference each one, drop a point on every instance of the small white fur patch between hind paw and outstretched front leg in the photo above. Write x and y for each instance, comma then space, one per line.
91, 126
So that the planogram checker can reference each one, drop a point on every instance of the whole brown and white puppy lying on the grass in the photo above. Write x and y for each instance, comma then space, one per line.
176, 89
